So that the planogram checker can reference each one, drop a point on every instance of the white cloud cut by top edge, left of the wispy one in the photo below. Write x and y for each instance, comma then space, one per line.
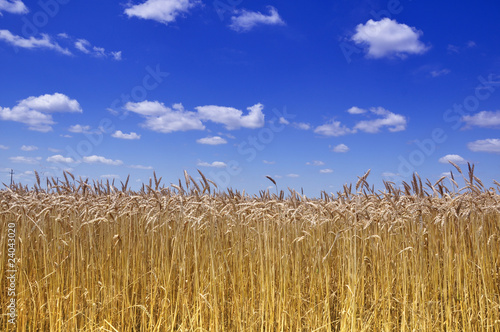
163, 11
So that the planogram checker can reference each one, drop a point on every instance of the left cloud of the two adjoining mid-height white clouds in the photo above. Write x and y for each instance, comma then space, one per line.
164, 119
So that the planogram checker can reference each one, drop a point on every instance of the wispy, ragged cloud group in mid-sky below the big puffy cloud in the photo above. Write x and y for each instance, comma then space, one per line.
392, 121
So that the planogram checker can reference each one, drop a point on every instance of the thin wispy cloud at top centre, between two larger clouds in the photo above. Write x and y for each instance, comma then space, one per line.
247, 20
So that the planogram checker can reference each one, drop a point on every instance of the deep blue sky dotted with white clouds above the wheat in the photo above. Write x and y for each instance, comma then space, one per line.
312, 95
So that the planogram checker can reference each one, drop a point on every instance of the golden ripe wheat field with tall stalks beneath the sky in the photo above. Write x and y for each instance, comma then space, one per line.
189, 257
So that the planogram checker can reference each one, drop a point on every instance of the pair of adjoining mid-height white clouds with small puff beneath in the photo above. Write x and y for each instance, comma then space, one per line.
163, 119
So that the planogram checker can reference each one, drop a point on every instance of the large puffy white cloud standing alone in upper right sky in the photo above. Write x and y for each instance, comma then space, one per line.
387, 37
